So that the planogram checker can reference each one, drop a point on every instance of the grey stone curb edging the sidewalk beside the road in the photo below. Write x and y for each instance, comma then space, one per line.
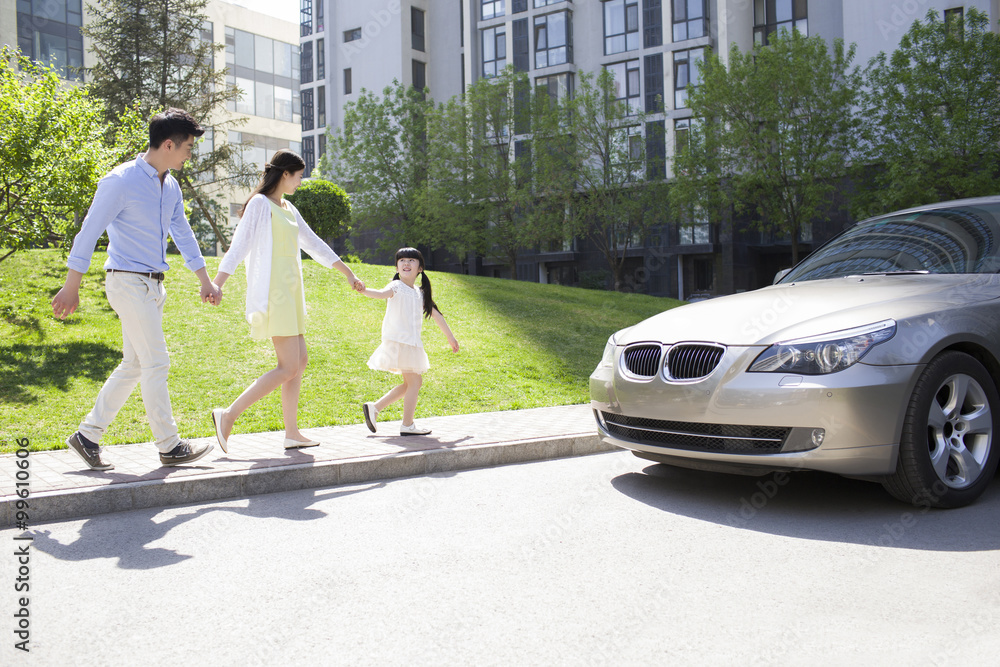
73, 503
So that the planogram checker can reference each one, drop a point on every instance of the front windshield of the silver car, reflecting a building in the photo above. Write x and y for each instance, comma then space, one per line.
957, 239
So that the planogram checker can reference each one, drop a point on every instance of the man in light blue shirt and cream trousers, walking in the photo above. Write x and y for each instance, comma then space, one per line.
139, 203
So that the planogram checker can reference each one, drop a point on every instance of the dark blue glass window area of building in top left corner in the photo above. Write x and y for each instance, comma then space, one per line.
49, 34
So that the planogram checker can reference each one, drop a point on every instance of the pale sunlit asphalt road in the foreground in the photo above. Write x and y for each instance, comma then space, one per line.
605, 559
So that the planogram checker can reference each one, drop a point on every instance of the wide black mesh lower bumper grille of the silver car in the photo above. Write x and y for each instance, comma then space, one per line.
727, 438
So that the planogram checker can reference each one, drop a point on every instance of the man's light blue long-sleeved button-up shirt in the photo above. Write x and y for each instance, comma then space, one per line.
138, 214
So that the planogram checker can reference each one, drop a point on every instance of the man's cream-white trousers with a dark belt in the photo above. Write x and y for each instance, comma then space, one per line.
138, 300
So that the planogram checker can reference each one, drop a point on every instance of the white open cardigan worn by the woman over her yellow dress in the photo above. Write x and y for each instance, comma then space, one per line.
252, 241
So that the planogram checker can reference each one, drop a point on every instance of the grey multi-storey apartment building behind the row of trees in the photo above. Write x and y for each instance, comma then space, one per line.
651, 46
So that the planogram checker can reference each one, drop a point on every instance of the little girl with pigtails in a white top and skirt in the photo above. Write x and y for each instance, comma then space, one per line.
401, 350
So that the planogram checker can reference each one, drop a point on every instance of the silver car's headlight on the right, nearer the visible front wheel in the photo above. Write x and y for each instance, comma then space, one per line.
827, 353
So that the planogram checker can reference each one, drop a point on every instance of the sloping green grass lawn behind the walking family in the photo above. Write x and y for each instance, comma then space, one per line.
524, 345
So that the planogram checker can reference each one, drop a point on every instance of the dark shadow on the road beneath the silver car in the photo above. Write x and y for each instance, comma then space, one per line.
816, 506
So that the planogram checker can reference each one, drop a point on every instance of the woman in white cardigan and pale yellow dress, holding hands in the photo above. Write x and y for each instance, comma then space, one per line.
269, 235
